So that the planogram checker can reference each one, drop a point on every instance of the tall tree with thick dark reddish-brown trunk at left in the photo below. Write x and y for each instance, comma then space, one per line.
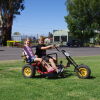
8, 10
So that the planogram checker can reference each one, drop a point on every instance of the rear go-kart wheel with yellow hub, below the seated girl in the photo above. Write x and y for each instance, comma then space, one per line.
28, 71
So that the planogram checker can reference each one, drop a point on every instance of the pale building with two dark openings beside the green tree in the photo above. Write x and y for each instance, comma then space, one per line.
60, 36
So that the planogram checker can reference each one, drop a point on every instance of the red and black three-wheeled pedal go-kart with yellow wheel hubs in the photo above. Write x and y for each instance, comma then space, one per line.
29, 70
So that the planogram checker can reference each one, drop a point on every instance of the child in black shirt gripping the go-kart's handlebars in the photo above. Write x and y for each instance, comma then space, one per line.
41, 53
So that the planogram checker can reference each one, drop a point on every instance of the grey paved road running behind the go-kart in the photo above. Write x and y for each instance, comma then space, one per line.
9, 53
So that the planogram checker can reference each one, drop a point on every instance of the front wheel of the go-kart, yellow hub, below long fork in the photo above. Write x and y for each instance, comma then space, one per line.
83, 71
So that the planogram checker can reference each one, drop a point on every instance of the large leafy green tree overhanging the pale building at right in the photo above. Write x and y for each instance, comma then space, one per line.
83, 18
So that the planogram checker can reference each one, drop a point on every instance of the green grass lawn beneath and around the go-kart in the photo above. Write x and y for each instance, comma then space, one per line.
13, 86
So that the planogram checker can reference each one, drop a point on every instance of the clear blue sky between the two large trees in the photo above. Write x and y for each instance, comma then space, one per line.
41, 17
